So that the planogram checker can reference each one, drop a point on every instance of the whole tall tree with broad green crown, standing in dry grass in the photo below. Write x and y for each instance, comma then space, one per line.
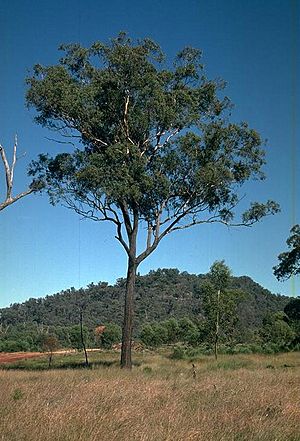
158, 150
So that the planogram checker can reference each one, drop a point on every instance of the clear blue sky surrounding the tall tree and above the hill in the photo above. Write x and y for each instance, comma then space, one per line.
253, 45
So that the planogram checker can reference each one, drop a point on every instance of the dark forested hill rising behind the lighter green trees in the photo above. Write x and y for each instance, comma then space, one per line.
160, 294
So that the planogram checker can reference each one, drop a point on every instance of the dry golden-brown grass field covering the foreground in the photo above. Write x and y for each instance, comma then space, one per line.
241, 397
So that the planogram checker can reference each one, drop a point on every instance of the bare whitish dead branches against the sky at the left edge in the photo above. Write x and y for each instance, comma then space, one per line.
9, 177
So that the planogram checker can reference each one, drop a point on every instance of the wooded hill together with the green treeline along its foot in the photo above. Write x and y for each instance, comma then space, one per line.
171, 307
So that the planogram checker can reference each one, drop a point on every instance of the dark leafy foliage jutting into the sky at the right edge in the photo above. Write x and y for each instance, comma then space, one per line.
289, 261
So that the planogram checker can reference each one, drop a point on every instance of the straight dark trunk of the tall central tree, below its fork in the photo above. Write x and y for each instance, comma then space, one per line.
126, 361
